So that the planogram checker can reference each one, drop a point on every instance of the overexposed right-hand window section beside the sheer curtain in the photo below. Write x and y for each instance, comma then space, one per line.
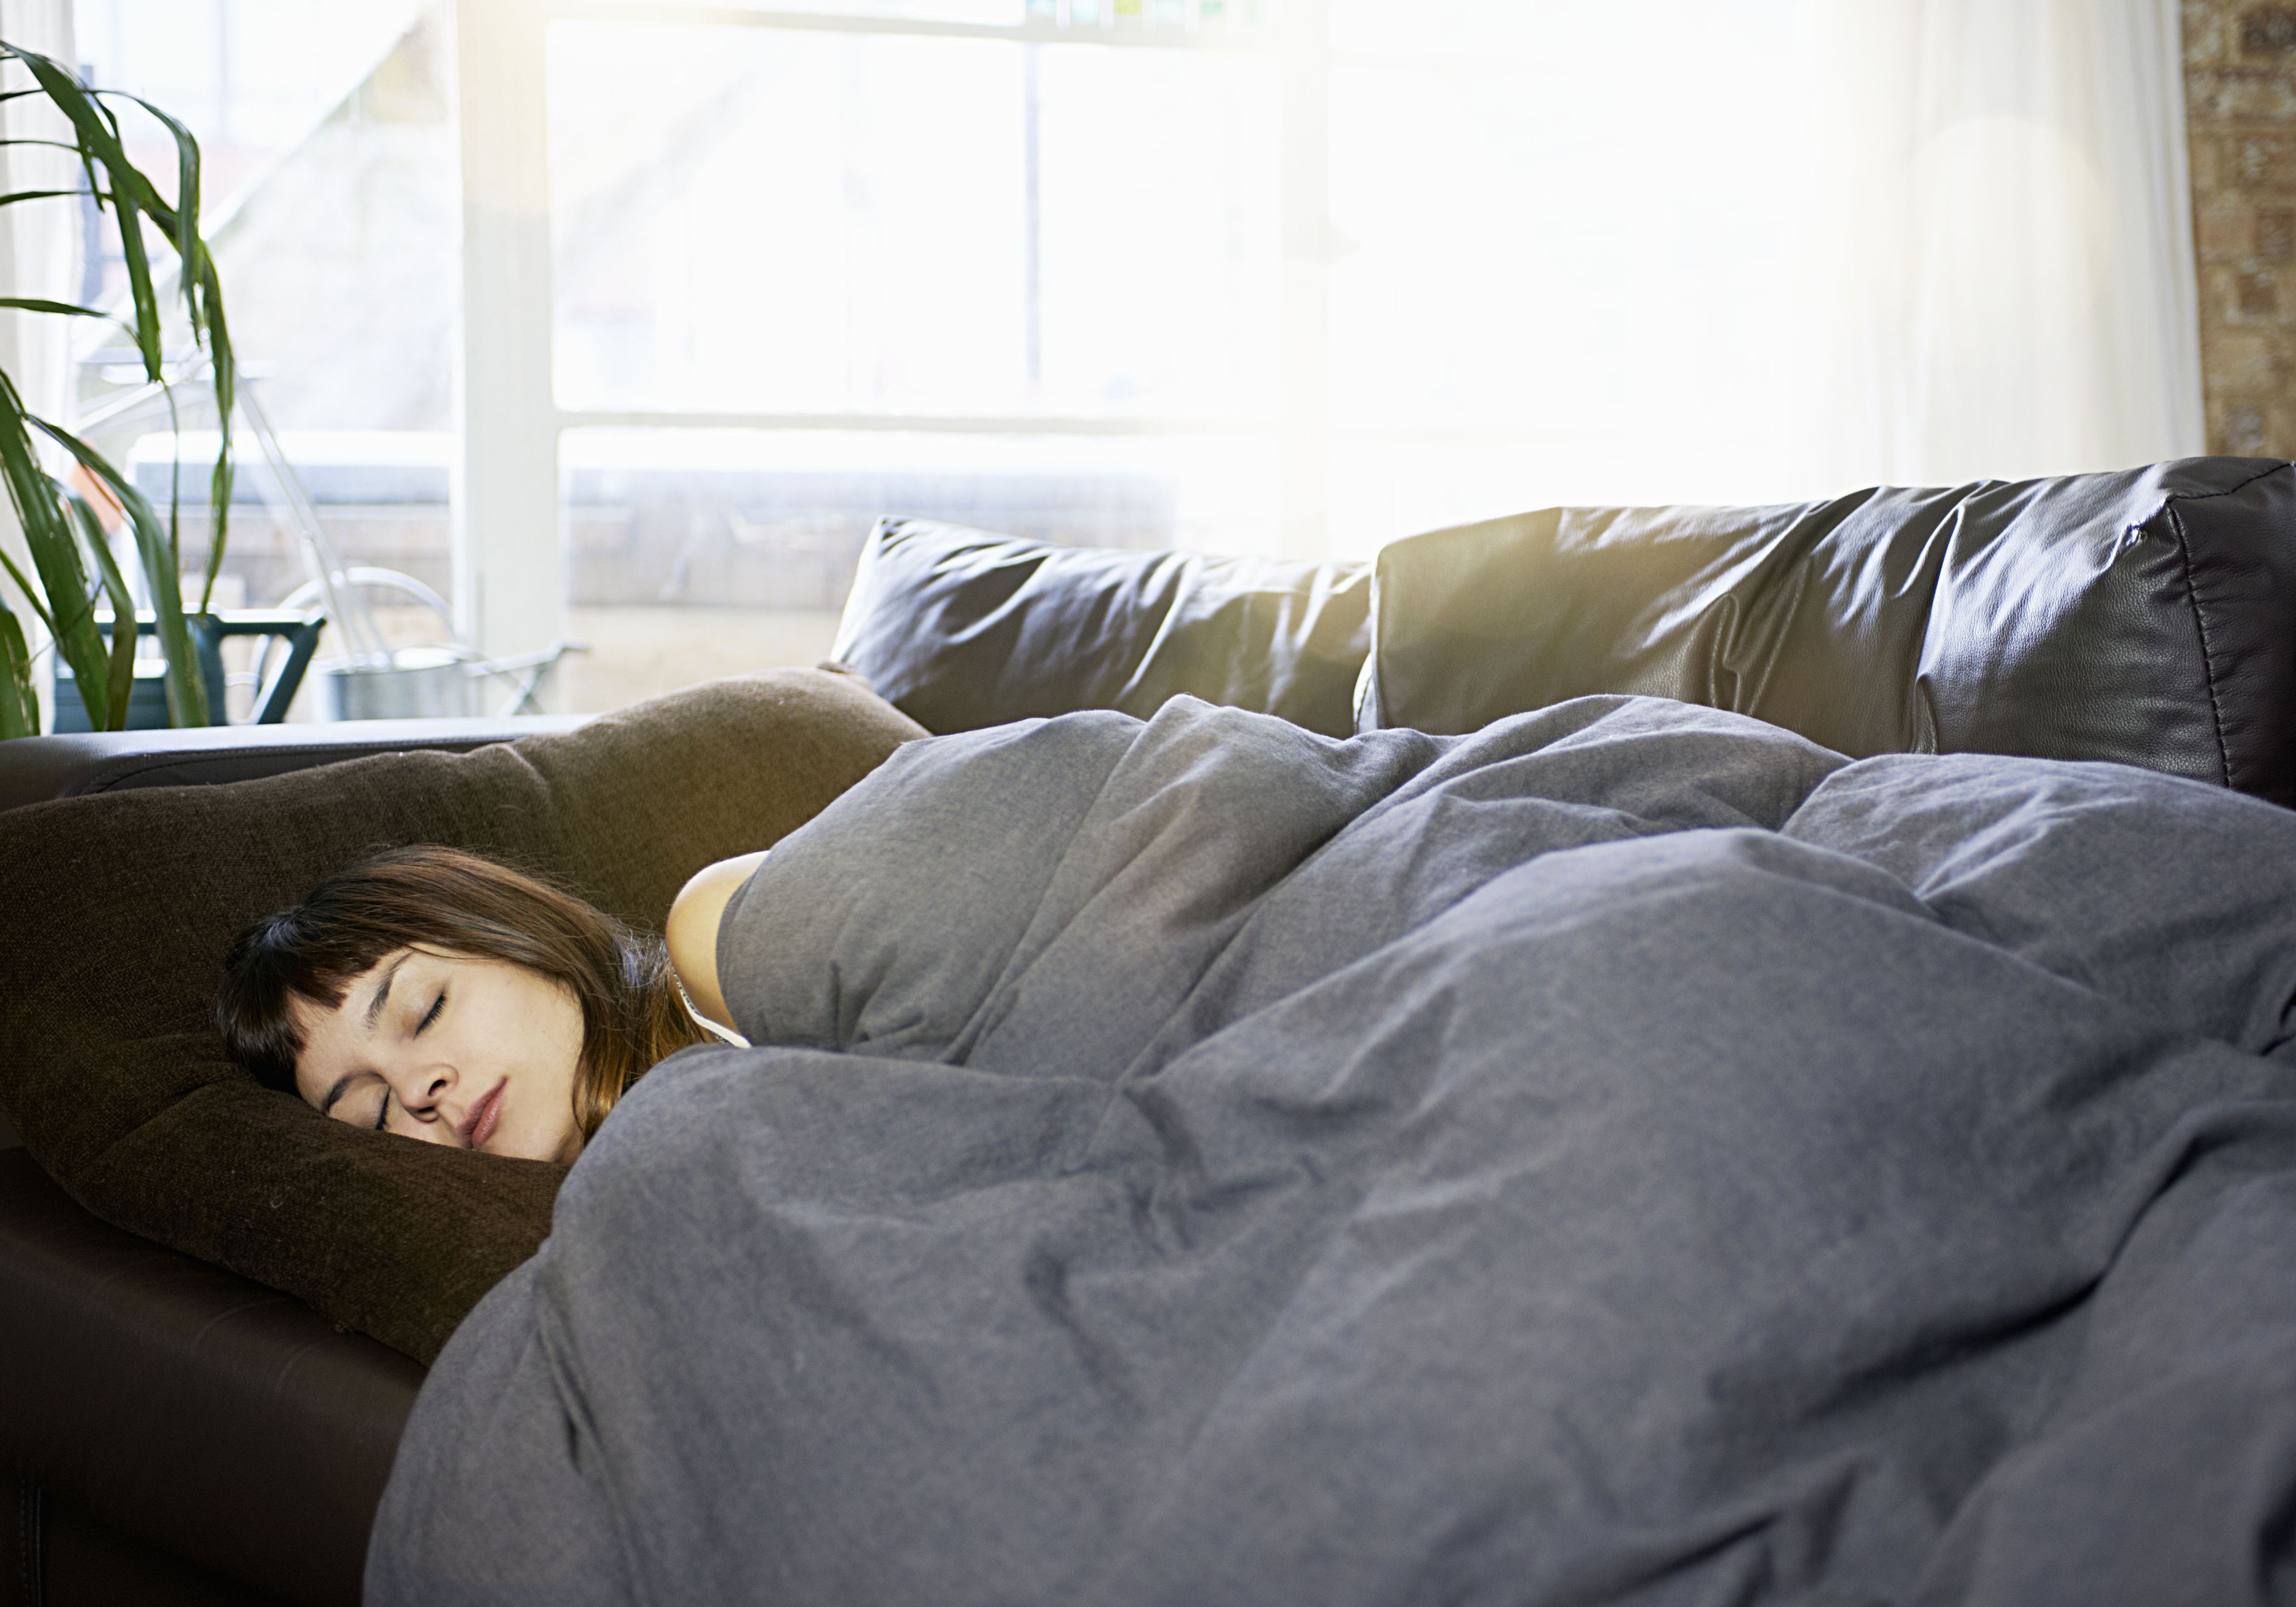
1565, 258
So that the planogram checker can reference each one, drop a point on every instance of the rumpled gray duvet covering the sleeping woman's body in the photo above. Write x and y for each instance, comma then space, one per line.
1624, 1156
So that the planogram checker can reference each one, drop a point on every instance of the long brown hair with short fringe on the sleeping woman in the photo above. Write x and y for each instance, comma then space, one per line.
467, 906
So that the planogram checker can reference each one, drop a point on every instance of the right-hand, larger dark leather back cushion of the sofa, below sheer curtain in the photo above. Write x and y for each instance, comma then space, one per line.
2143, 616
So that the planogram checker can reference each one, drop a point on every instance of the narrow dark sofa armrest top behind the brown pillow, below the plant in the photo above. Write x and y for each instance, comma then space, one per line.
59, 768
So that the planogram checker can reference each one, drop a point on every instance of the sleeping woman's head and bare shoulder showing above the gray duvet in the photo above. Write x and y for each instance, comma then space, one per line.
453, 1000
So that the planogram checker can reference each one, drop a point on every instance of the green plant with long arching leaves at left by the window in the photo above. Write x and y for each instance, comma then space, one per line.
72, 561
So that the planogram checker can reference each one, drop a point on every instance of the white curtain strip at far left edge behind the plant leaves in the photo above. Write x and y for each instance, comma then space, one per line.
40, 256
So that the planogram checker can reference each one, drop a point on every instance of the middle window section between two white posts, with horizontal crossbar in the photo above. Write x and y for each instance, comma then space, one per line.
936, 261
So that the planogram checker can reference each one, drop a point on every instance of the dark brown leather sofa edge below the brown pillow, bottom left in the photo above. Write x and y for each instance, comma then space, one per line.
185, 1406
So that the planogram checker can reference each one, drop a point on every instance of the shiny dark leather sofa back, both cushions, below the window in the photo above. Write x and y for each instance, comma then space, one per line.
2141, 616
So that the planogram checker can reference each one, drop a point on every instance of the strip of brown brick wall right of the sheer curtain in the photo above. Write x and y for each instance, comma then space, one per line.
2240, 79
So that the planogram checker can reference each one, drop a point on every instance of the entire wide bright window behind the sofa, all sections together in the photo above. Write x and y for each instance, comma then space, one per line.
621, 320
